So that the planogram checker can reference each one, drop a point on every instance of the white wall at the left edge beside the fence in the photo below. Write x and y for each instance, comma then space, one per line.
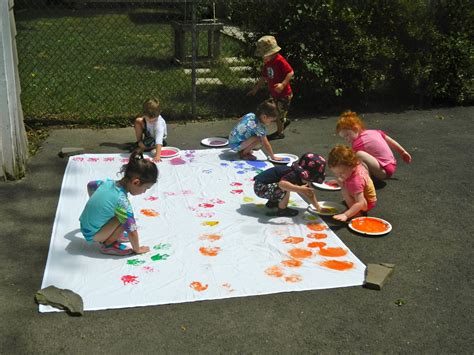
13, 143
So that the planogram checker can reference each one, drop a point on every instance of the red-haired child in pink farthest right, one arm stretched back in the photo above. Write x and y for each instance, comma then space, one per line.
371, 146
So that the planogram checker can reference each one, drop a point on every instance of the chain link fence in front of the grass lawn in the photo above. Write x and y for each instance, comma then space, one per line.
95, 62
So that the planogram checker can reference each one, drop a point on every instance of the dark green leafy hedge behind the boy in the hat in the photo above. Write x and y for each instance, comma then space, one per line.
414, 50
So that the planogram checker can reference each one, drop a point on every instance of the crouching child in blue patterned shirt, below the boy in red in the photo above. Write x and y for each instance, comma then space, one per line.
251, 131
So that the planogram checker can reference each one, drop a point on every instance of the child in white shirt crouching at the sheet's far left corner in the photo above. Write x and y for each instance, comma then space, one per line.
150, 129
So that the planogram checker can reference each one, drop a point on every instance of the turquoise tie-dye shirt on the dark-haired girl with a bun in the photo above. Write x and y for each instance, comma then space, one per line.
108, 200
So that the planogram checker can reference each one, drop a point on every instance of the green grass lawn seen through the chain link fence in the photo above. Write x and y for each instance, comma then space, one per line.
96, 67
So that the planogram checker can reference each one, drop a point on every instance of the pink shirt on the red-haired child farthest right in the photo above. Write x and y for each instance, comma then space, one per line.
373, 142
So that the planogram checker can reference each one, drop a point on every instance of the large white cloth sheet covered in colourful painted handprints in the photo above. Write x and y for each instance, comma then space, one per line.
210, 238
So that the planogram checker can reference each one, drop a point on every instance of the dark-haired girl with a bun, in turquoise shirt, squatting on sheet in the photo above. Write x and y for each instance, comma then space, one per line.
108, 216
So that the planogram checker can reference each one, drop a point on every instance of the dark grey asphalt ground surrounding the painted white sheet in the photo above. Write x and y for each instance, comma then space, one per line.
425, 307
